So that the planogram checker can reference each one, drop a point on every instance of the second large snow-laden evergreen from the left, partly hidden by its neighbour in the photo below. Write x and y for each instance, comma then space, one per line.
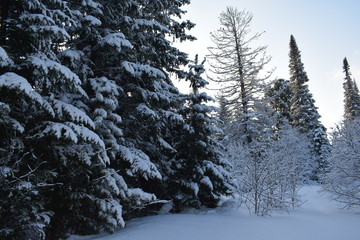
96, 54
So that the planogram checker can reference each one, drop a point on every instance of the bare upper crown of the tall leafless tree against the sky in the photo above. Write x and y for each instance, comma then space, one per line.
235, 63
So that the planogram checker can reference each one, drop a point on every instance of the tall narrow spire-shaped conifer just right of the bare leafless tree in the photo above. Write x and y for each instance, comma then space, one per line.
304, 114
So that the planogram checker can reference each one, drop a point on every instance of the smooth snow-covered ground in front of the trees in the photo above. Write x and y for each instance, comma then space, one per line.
318, 218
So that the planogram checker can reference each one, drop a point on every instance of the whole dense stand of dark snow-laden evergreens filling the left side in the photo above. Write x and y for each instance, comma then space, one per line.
91, 123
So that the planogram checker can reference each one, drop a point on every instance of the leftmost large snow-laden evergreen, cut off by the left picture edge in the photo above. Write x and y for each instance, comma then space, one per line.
37, 90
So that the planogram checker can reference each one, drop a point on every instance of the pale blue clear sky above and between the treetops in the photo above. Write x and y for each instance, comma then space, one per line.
326, 31
